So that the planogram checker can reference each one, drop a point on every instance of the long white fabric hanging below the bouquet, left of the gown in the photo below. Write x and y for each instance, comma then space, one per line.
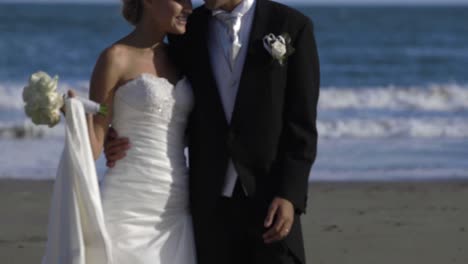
76, 230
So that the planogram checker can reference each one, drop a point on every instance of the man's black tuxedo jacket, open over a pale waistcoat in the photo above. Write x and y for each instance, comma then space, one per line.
272, 137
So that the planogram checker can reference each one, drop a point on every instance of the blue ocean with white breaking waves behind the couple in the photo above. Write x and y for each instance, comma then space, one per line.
393, 103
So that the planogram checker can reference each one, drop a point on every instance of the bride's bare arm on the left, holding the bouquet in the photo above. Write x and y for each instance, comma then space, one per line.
104, 80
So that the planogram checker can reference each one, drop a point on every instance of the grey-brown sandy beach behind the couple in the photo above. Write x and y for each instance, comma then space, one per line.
356, 223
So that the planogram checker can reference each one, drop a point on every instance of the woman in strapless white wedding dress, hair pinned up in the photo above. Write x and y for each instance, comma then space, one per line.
145, 196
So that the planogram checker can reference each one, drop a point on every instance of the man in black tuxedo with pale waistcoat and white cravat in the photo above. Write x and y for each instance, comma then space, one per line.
252, 133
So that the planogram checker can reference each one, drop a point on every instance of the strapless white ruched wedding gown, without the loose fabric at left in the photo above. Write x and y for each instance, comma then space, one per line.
145, 196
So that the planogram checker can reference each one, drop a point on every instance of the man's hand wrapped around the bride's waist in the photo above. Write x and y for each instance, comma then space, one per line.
115, 148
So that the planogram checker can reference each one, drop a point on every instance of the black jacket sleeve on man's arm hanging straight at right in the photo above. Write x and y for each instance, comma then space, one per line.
299, 136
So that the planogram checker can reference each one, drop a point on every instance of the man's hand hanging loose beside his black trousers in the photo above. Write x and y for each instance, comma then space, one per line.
279, 220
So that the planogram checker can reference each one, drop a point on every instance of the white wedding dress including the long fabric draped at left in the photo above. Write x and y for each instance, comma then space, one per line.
140, 214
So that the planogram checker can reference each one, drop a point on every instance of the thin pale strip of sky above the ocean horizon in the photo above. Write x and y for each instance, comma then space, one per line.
376, 2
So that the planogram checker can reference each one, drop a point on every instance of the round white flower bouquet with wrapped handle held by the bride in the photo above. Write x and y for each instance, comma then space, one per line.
43, 102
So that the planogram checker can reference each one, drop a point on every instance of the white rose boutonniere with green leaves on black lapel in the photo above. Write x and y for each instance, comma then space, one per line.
279, 47
